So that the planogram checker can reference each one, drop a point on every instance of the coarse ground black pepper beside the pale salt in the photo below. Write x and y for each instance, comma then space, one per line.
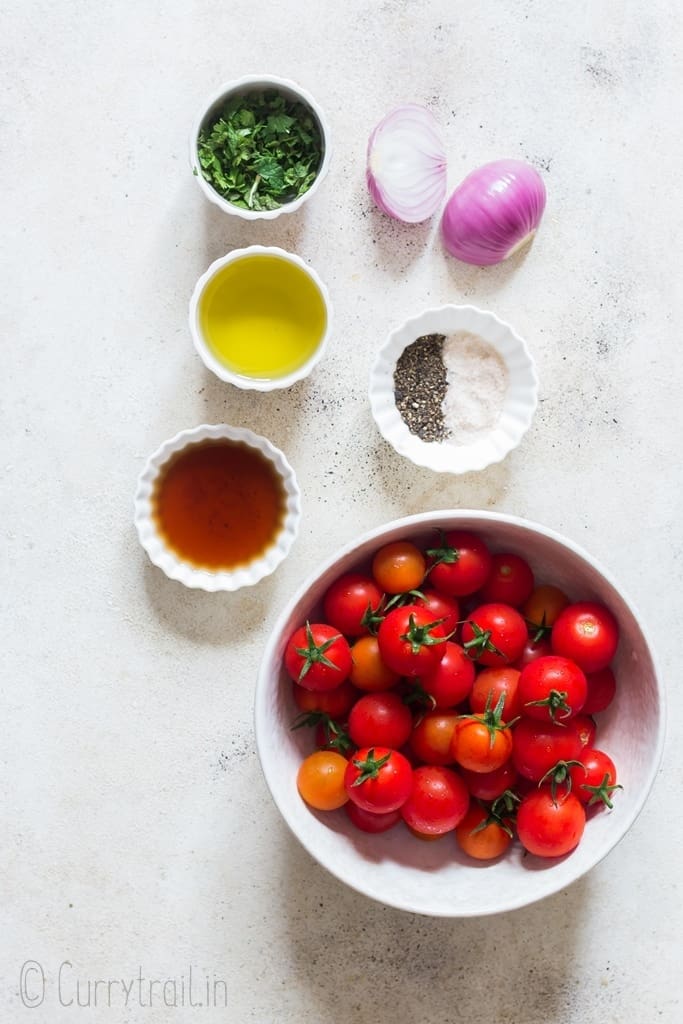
419, 388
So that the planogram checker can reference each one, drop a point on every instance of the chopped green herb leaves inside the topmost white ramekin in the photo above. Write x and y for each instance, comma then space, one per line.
262, 151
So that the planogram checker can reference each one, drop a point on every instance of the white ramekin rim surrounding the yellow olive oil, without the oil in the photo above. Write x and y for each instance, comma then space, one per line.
203, 349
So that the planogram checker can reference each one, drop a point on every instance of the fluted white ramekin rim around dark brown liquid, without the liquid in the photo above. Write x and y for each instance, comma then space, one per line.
186, 573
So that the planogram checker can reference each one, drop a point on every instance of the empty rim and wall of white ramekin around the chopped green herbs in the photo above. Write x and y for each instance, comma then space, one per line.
258, 83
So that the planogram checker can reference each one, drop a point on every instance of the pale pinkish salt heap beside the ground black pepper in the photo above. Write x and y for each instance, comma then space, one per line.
477, 382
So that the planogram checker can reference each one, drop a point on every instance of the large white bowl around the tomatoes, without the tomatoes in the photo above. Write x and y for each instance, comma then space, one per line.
436, 878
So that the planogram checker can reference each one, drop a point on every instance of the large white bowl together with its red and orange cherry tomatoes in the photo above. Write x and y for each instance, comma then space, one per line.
459, 713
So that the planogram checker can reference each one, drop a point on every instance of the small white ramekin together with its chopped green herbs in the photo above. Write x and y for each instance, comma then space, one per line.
261, 147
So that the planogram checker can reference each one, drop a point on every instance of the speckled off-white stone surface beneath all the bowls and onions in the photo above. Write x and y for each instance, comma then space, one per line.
139, 838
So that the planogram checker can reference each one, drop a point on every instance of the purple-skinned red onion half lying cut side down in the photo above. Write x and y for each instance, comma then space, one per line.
494, 212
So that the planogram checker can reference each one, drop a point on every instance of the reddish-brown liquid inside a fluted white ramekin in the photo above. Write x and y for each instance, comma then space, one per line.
220, 504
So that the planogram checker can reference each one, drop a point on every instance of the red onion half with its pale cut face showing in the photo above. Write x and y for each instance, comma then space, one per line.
406, 169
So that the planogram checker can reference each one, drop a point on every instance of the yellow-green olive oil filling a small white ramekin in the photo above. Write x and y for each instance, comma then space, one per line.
263, 317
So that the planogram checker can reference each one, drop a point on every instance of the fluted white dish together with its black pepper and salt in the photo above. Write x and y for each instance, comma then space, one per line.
454, 390
